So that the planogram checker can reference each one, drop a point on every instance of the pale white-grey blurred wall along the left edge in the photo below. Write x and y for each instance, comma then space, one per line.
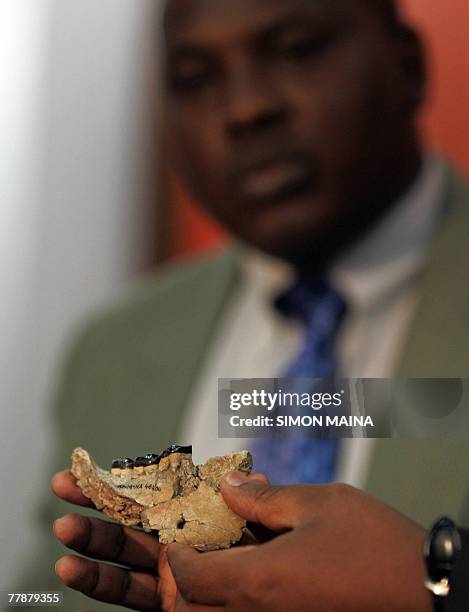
72, 222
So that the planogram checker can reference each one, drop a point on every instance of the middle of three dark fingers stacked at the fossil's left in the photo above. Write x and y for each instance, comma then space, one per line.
106, 541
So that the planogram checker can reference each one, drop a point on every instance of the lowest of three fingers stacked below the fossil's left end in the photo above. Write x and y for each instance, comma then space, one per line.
109, 584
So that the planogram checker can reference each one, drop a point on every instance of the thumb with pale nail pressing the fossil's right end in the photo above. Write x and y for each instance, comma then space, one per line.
254, 499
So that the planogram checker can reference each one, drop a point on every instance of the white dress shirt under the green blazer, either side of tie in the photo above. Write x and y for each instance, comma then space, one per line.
379, 279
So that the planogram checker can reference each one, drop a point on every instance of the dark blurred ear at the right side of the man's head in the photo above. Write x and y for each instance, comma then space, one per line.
413, 62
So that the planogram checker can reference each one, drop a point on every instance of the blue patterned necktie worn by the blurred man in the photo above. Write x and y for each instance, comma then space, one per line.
306, 460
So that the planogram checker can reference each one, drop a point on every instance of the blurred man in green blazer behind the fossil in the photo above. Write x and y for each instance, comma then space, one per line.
293, 123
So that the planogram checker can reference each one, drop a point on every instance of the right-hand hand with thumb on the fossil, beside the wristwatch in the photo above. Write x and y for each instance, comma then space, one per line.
338, 550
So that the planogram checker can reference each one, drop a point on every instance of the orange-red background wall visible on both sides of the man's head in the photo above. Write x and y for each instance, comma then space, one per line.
445, 122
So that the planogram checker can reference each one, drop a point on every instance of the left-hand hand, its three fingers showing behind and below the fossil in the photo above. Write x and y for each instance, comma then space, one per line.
144, 583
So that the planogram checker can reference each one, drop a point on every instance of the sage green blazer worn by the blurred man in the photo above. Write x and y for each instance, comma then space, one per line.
130, 375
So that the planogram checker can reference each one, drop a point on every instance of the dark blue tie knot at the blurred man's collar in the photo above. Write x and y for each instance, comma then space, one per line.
315, 303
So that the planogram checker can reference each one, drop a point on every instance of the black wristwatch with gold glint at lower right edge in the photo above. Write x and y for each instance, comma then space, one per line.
442, 548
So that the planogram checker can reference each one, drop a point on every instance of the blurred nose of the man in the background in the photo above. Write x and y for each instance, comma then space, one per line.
253, 104
